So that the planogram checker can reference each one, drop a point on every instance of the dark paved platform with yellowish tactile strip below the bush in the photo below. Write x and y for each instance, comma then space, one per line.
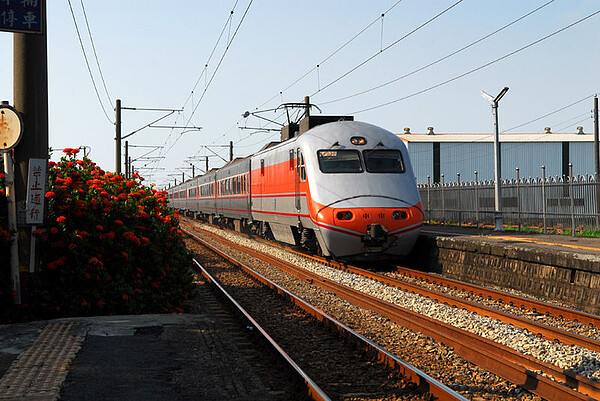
145, 357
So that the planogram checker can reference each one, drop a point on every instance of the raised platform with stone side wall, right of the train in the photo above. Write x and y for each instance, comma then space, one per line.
559, 268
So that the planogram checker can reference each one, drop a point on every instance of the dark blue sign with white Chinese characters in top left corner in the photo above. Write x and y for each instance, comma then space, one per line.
22, 16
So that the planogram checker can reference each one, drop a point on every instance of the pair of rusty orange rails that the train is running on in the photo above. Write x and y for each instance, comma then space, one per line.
499, 359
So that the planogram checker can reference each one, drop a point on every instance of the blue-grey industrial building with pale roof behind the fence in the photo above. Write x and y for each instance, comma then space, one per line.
433, 154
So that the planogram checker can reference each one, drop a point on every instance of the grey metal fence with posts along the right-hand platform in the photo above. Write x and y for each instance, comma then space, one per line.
558, 204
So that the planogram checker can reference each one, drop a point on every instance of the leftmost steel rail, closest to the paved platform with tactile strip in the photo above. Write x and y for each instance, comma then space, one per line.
313, 391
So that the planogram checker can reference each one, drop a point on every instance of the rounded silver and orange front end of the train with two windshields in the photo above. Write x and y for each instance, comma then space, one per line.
363, 194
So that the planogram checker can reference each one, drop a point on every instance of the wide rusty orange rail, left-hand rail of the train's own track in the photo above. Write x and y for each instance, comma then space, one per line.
492, 356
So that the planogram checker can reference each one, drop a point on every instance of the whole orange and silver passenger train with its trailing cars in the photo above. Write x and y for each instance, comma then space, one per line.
343, 189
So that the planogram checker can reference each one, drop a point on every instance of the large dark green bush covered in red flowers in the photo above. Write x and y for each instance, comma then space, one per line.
111, 246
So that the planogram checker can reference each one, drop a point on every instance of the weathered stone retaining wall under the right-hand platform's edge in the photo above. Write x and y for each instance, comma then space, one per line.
567, 277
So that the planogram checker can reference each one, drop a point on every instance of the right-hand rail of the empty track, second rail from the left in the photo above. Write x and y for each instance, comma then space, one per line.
425, 383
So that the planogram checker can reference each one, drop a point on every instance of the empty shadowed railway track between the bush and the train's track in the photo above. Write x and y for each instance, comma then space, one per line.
334, 361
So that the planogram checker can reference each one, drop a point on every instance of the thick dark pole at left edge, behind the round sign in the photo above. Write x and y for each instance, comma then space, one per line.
30, 94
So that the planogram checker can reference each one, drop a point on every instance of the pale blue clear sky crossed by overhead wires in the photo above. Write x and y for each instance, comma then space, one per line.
153, 52
